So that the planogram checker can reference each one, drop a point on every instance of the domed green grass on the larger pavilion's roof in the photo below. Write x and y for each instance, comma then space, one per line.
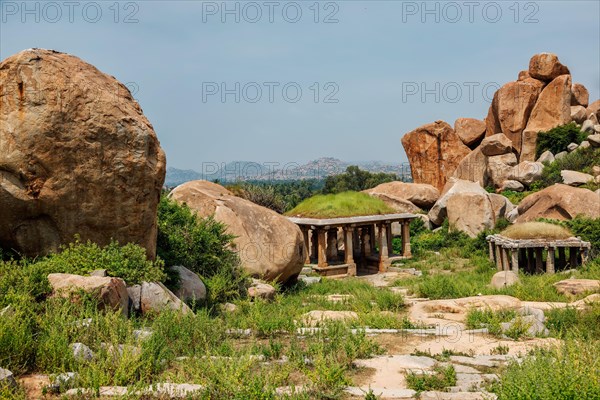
346, 204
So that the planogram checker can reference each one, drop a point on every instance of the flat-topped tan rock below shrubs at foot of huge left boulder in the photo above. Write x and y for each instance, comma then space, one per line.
111, 292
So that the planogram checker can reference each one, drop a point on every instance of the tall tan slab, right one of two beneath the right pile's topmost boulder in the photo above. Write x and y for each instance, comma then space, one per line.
552, 109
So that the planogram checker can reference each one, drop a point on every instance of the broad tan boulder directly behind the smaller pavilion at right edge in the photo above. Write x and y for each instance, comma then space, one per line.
560, 202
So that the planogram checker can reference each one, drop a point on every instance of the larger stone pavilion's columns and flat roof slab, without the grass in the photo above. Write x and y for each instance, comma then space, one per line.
353, 245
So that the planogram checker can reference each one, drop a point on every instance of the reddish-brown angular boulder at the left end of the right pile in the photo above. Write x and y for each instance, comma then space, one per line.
434, 151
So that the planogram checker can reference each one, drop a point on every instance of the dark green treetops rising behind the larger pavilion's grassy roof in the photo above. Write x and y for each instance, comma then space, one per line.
355, 179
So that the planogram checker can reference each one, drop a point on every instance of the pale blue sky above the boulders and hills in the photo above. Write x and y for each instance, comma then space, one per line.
285, 81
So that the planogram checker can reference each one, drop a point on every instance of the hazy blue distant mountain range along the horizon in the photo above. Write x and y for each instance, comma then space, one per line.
237, 171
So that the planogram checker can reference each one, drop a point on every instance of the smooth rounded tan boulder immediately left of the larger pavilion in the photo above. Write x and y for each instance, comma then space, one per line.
269, 245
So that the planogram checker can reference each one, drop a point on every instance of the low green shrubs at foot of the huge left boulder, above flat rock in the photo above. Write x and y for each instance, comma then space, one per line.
128, 262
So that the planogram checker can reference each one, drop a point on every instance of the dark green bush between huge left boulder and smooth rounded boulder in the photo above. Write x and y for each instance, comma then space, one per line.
201, 245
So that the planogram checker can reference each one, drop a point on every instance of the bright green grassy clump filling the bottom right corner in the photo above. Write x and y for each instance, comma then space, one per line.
566, 372
